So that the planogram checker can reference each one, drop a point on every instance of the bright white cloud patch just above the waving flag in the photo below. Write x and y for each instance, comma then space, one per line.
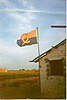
23, 22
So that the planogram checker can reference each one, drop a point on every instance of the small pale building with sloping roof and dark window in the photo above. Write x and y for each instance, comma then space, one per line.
52, 65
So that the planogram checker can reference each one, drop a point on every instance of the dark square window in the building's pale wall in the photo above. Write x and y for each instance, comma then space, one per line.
56, 67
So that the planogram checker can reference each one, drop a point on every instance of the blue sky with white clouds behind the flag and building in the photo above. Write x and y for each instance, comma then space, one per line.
22, 16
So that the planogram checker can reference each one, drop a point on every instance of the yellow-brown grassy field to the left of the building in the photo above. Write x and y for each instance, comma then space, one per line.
19, 84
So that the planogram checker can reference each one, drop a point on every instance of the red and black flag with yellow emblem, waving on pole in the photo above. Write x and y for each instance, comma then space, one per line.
28, 38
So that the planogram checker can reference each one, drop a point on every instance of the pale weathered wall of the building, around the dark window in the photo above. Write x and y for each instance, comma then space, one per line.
52, 86
